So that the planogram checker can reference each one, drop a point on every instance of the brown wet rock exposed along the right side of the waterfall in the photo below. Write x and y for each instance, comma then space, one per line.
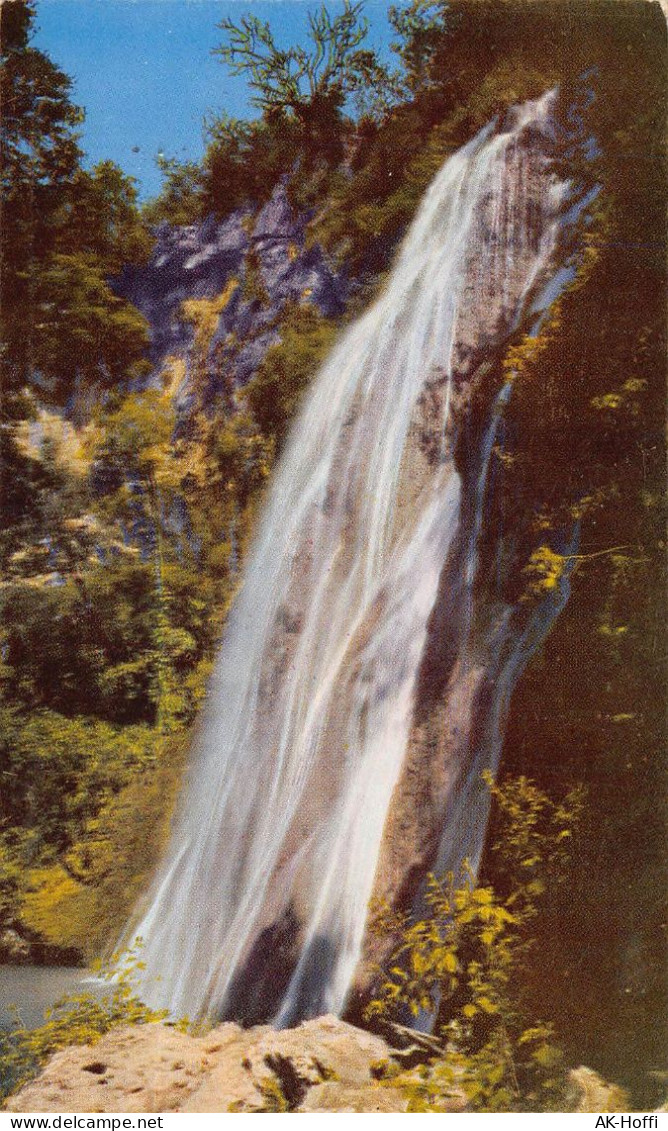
475, 649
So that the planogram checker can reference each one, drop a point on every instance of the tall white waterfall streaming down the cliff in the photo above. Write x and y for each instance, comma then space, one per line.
276, 845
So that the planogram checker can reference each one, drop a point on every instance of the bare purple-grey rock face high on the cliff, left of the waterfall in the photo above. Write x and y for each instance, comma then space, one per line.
263, 261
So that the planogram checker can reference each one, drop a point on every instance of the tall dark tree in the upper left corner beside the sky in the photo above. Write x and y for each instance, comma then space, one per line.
65, 234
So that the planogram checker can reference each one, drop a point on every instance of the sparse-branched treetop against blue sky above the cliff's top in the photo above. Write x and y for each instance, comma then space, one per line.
302, 93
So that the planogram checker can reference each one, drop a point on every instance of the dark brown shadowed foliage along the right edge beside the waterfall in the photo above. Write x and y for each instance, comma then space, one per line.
586, 445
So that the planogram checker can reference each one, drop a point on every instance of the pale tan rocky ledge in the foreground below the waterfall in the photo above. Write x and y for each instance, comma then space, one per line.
323, 1066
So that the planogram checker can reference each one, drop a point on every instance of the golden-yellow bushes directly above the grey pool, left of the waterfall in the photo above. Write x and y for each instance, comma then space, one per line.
76, 897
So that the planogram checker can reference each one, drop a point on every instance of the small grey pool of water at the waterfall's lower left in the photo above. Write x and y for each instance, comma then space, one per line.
34, 989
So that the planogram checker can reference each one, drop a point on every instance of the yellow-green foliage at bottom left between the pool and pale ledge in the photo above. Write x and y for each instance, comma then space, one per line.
76, 1020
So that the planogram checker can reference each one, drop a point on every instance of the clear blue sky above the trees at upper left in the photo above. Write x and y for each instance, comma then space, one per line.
144, 72
